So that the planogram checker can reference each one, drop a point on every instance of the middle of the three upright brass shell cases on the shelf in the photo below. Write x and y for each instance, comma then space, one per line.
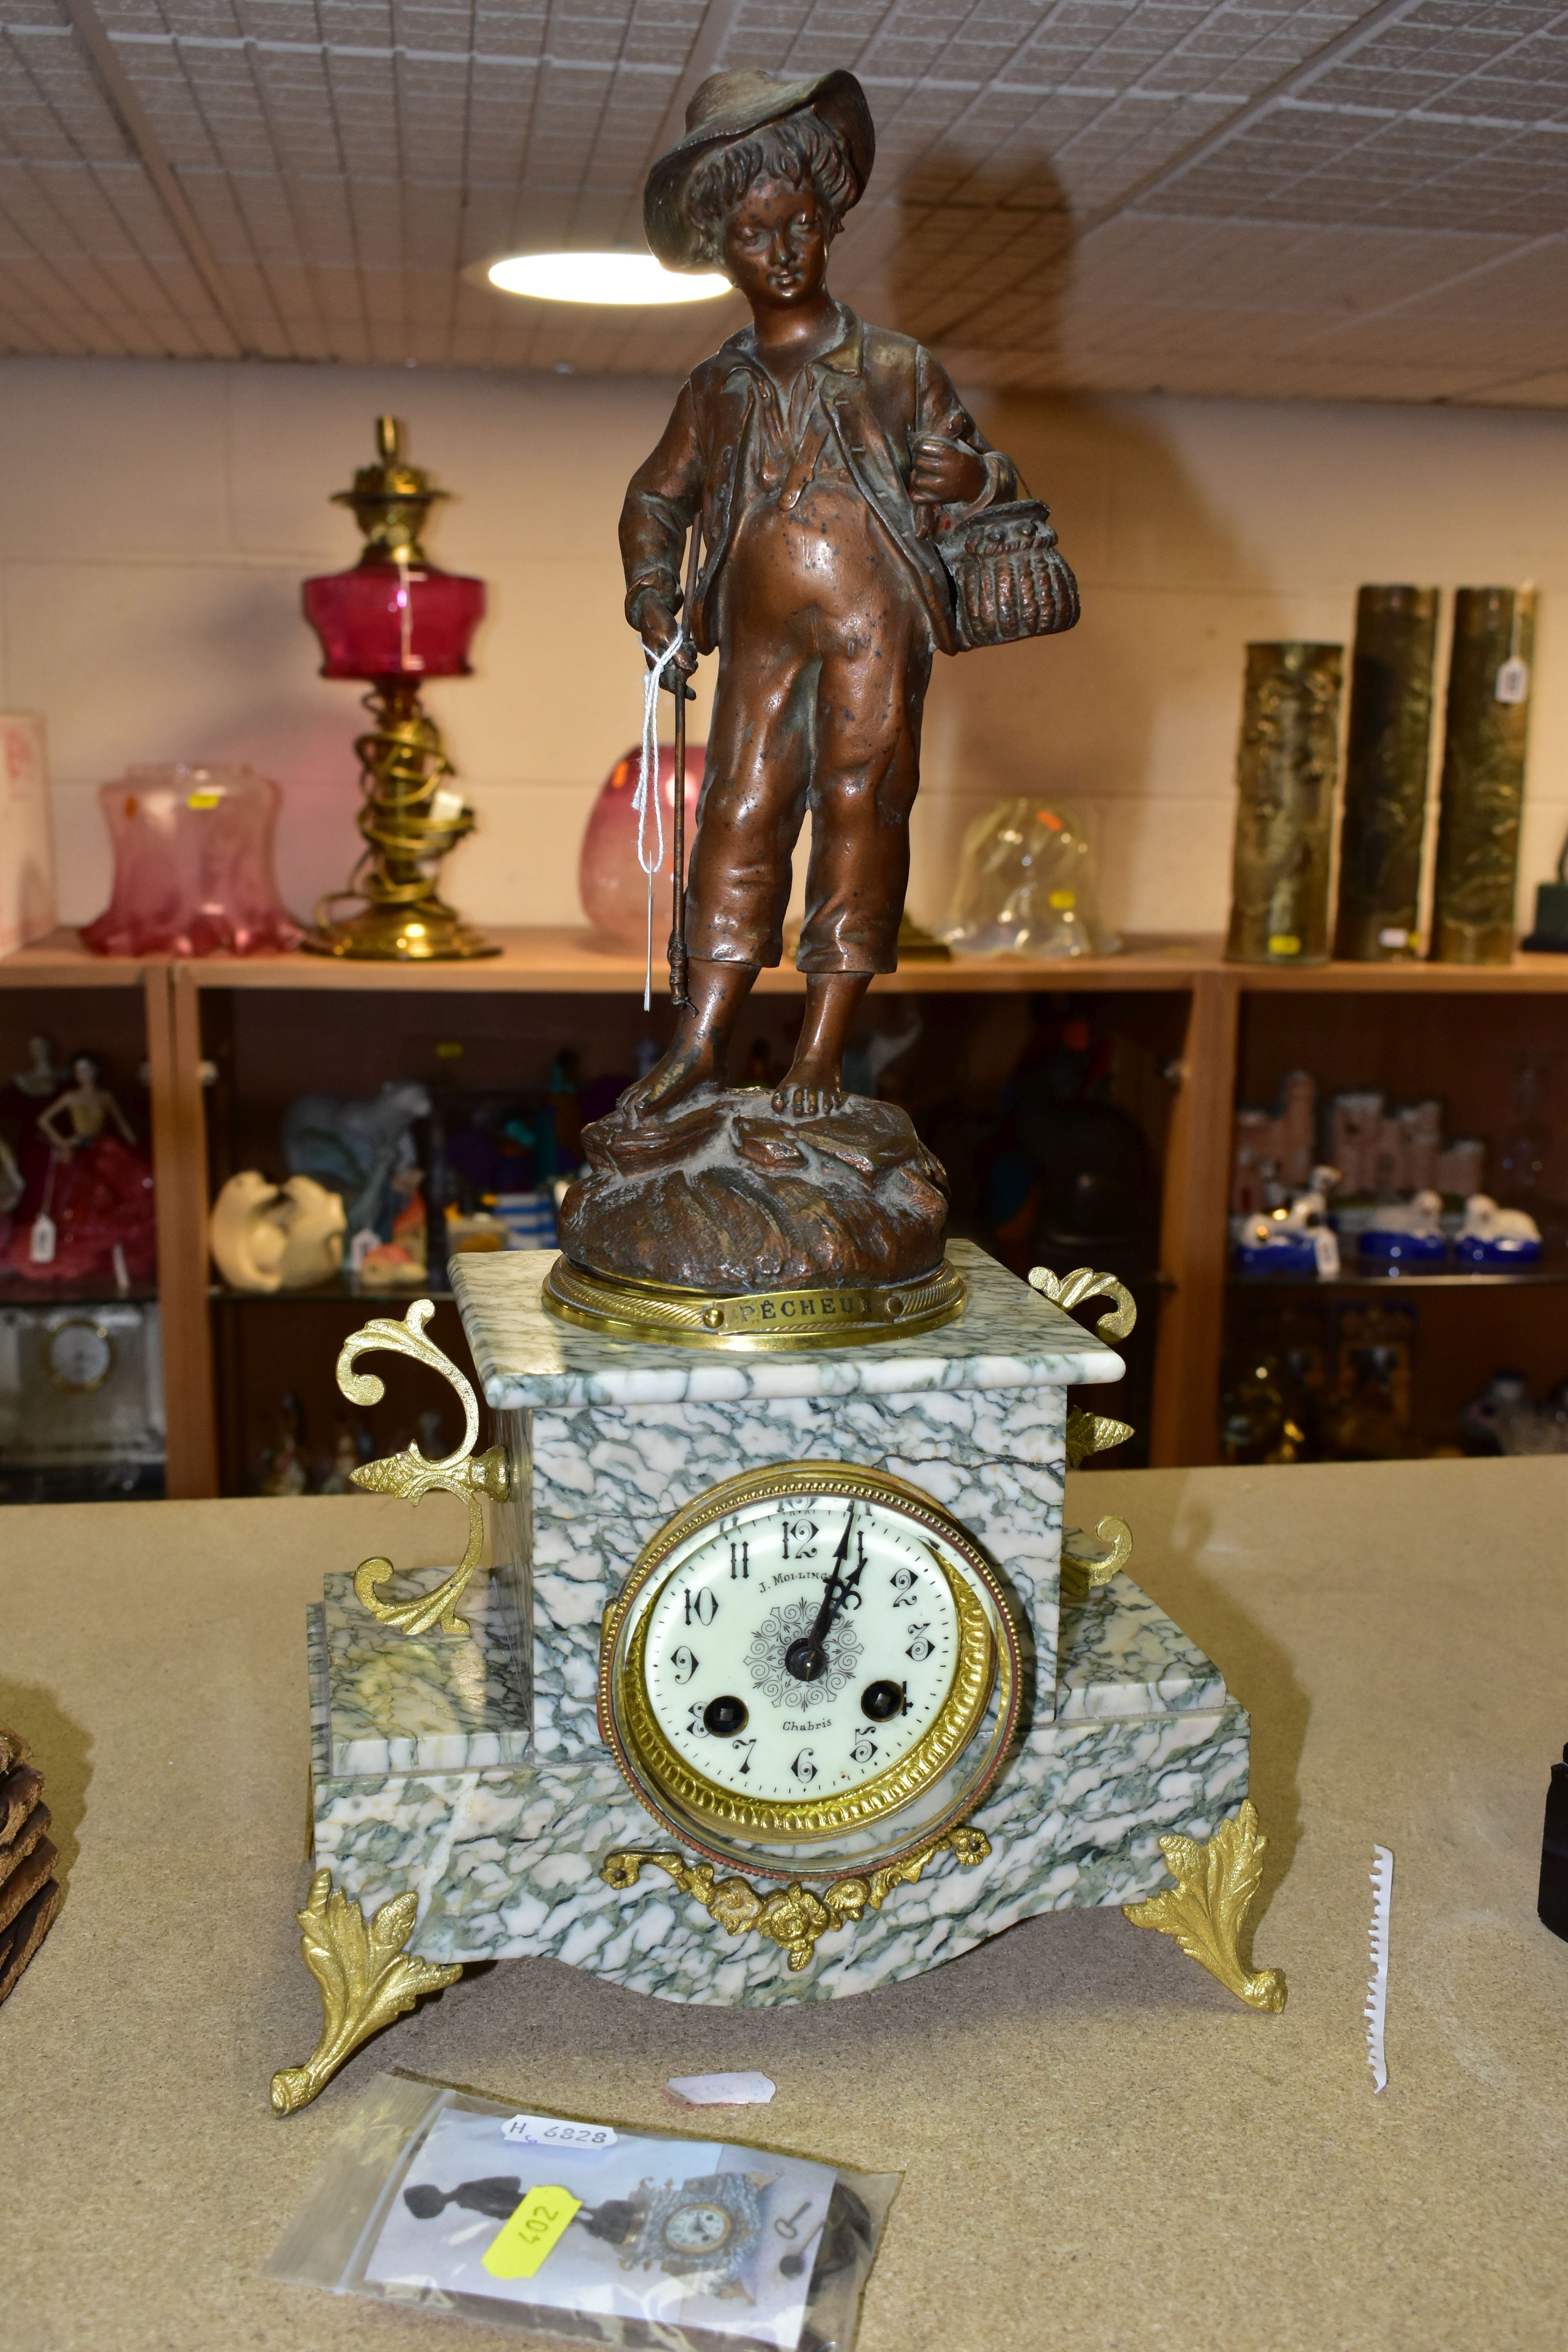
1386, 775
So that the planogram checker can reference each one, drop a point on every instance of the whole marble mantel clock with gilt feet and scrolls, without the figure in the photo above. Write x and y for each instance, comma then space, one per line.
779, 1685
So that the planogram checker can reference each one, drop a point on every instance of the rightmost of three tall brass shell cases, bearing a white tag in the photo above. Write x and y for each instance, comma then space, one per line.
1477, 836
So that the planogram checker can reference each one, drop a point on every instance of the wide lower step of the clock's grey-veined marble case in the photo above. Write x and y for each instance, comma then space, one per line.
504, 1857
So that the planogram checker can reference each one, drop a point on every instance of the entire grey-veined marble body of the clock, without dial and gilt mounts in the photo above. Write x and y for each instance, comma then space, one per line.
438, 1770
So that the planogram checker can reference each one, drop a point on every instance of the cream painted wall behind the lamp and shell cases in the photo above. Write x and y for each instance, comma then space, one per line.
156, 523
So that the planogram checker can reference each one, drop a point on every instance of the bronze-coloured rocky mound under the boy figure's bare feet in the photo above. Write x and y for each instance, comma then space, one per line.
725, 1194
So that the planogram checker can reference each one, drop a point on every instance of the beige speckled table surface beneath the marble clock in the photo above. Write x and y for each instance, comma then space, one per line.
1099, 2146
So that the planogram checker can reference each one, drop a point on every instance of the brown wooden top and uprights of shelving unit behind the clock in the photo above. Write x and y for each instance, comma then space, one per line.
1228, 1024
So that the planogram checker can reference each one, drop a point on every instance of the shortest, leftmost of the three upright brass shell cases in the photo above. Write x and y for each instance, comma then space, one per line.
1285, 806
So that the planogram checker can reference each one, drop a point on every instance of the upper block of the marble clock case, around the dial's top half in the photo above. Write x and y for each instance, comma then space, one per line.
608, 1441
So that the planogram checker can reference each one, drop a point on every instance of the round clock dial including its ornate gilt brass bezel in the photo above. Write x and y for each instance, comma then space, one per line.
812, 1652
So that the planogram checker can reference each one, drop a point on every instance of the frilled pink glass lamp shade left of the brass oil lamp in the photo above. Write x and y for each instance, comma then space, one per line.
194, 864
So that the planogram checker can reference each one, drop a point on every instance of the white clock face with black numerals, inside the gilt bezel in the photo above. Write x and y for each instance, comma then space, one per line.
756, 1699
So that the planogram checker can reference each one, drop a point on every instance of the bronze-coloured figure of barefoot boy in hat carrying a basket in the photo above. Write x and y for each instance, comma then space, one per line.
822, 457
